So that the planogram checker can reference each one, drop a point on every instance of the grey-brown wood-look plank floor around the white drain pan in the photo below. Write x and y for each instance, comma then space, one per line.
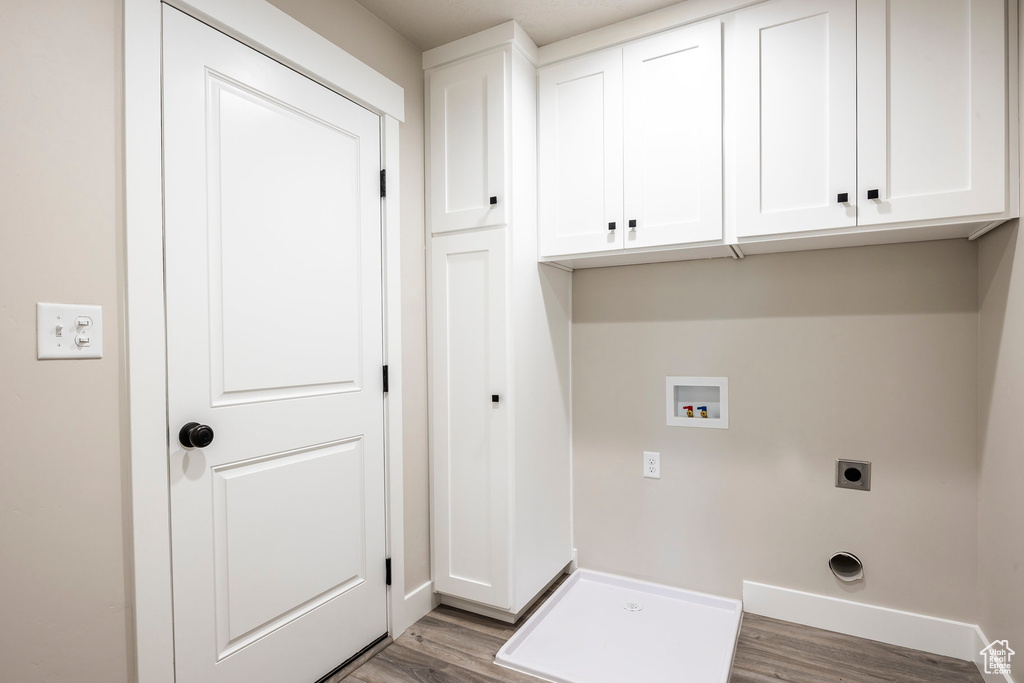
453, 647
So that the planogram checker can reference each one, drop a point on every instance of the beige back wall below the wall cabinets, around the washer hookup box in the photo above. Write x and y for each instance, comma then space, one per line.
866, 354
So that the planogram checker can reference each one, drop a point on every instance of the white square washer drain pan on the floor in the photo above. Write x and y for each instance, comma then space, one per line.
600, 628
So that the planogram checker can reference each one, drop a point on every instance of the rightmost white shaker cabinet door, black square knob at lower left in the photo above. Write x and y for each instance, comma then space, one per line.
931, 77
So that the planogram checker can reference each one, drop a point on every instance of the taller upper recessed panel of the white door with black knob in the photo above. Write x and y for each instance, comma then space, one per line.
278, 168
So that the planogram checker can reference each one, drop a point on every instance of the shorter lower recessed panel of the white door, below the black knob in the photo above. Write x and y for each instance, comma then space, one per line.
259, 506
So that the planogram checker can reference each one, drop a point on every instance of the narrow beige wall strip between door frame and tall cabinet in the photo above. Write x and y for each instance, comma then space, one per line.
368, 39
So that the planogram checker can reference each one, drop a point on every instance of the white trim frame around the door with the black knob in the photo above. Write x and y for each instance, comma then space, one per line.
272, 32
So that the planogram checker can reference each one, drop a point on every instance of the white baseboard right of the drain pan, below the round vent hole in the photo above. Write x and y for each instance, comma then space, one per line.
929, 634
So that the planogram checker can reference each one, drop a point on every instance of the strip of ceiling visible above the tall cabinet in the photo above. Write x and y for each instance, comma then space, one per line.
429, 24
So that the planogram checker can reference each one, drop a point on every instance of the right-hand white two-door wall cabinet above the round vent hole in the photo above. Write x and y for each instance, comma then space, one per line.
898, 107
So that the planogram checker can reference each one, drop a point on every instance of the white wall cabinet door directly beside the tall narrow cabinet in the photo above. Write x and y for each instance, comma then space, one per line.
581, 155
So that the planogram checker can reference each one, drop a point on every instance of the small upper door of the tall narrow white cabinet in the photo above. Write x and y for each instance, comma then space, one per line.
467, 145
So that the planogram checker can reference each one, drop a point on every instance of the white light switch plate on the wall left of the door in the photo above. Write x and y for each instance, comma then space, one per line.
69, 331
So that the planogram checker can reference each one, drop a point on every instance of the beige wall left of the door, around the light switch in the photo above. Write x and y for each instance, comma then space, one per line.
63, 613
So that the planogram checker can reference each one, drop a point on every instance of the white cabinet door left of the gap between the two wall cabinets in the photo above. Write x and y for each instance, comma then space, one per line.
673, 138
